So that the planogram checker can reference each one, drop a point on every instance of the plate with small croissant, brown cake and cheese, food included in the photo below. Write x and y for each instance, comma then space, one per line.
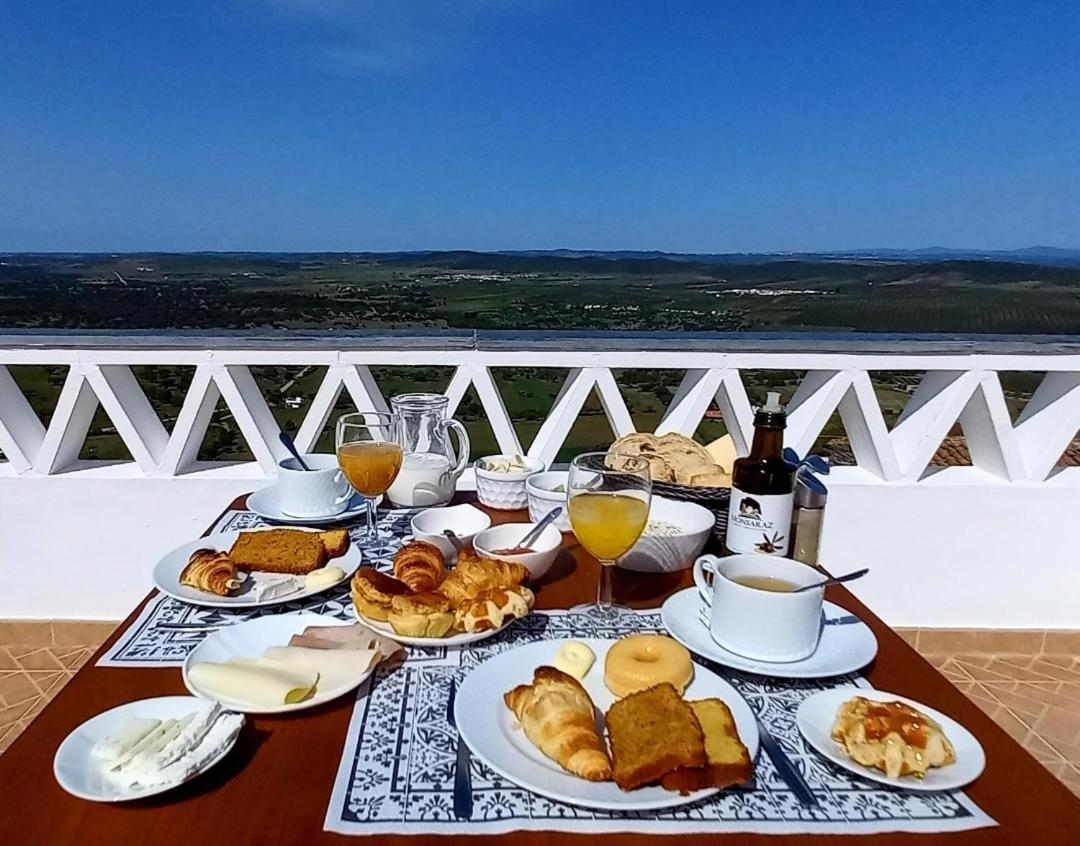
258, 568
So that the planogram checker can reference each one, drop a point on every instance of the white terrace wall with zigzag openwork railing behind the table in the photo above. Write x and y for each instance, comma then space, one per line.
993, 545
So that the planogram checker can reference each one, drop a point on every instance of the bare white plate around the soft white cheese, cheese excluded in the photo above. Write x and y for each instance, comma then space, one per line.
80, 774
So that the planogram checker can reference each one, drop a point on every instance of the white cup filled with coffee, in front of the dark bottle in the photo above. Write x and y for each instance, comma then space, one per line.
766, 626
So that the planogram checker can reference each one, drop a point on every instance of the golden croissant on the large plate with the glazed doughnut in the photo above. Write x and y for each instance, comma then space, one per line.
559, 718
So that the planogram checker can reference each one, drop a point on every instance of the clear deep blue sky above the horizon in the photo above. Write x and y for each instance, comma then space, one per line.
499, 125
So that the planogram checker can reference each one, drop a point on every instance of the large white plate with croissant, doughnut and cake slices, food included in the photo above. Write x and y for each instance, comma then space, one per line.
616, 726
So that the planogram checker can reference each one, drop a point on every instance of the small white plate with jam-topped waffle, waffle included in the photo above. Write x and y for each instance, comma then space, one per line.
890, 740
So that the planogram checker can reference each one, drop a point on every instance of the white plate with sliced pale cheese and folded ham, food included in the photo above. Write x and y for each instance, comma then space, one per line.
285, 663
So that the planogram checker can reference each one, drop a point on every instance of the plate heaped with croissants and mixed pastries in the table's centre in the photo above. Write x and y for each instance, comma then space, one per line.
424, 603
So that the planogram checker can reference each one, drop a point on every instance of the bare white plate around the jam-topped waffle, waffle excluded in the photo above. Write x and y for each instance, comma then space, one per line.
816, 717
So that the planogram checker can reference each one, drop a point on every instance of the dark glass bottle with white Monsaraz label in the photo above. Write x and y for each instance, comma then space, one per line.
760, 520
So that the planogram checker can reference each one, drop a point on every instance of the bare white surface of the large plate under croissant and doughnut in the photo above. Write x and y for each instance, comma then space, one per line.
495, 737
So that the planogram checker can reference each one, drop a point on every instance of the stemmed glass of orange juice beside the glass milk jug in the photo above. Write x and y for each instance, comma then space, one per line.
370, 453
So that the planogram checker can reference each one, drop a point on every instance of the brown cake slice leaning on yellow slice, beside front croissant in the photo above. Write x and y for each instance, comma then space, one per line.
653, 732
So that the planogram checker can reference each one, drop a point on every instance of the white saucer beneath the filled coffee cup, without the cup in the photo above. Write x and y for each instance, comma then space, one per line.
843, 649
